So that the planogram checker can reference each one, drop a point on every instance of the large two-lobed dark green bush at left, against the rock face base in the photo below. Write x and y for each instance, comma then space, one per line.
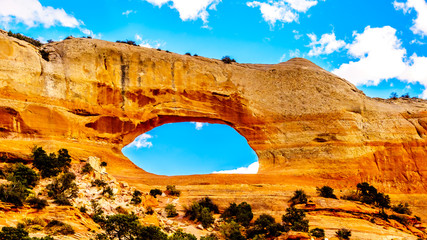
51, 165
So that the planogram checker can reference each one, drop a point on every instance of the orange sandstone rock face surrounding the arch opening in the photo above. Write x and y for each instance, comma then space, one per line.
94, 97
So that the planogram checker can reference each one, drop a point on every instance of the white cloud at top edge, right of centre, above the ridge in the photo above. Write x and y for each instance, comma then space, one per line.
285, 11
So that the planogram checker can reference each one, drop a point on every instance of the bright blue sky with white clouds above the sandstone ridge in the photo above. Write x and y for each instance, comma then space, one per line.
380, 46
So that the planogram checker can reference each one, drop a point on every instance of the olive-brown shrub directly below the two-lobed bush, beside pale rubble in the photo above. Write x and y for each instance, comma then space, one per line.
63, 188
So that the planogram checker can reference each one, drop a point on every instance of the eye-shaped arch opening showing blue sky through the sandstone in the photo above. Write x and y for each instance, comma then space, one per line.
188, 148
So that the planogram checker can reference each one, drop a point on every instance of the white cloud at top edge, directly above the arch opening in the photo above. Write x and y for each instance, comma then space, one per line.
189, 9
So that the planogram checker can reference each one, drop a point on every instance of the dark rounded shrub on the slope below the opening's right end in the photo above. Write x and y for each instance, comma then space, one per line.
241, 213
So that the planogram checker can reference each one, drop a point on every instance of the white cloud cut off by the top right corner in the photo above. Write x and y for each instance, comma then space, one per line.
420, 6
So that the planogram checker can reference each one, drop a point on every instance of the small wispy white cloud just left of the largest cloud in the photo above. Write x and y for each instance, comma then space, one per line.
327, 44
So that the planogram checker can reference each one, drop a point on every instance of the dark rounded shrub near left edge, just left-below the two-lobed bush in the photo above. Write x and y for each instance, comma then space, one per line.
23, 174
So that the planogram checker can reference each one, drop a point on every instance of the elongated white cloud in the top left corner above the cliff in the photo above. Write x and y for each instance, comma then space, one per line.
32, 13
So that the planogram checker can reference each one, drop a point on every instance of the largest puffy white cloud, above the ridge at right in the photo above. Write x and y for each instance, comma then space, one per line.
380, 57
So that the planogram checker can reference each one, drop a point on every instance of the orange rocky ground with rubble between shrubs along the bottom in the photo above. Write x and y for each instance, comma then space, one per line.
329, 214
